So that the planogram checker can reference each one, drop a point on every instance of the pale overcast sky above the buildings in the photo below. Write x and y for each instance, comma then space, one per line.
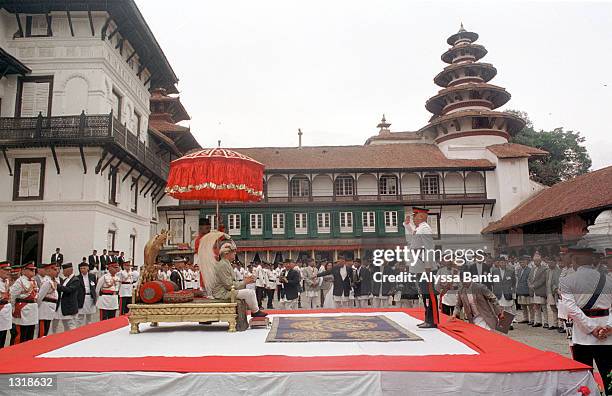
253, 72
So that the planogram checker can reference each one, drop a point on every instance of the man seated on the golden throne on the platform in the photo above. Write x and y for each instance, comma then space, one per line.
224, 279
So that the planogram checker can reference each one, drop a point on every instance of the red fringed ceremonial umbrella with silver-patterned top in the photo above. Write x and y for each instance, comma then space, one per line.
216, 174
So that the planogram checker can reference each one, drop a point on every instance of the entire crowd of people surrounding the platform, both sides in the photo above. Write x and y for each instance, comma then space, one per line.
541, 291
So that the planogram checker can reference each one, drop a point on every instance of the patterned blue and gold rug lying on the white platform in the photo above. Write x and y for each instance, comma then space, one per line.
338, 329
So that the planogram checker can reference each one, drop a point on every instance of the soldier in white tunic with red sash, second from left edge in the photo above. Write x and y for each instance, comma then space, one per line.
24, 293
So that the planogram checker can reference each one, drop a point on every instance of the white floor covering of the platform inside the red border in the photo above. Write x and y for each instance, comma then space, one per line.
192, 339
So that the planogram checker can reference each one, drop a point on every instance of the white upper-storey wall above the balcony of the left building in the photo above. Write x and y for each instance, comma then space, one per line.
85, 69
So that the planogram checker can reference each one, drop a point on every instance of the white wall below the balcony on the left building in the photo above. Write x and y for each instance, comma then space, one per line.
75, 209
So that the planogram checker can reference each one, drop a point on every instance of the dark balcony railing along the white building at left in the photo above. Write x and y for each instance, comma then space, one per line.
85, 130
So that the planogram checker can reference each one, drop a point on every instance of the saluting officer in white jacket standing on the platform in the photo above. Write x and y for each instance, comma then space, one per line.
421, 242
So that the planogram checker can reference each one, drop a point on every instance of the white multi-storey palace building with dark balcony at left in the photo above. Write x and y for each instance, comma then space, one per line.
80, 166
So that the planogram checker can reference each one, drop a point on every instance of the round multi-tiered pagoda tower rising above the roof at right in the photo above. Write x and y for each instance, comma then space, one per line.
464, 110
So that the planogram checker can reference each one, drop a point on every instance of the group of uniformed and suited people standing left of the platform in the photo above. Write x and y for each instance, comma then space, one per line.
36, 299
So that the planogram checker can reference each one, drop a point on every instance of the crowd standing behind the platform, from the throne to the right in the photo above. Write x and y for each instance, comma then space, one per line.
528, 286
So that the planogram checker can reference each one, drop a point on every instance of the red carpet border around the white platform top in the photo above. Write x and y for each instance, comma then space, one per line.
496, 354
